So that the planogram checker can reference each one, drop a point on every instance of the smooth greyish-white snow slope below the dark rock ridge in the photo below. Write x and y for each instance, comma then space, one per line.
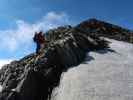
106, 76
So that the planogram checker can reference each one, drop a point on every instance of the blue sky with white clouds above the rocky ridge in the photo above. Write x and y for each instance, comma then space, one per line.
19, 19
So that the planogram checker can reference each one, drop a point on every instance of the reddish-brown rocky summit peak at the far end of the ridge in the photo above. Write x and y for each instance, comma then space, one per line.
100, 28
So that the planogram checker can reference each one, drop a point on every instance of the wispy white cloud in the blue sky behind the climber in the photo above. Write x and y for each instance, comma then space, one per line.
21, 37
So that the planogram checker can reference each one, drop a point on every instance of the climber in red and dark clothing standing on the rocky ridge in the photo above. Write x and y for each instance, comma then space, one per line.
39, 39
